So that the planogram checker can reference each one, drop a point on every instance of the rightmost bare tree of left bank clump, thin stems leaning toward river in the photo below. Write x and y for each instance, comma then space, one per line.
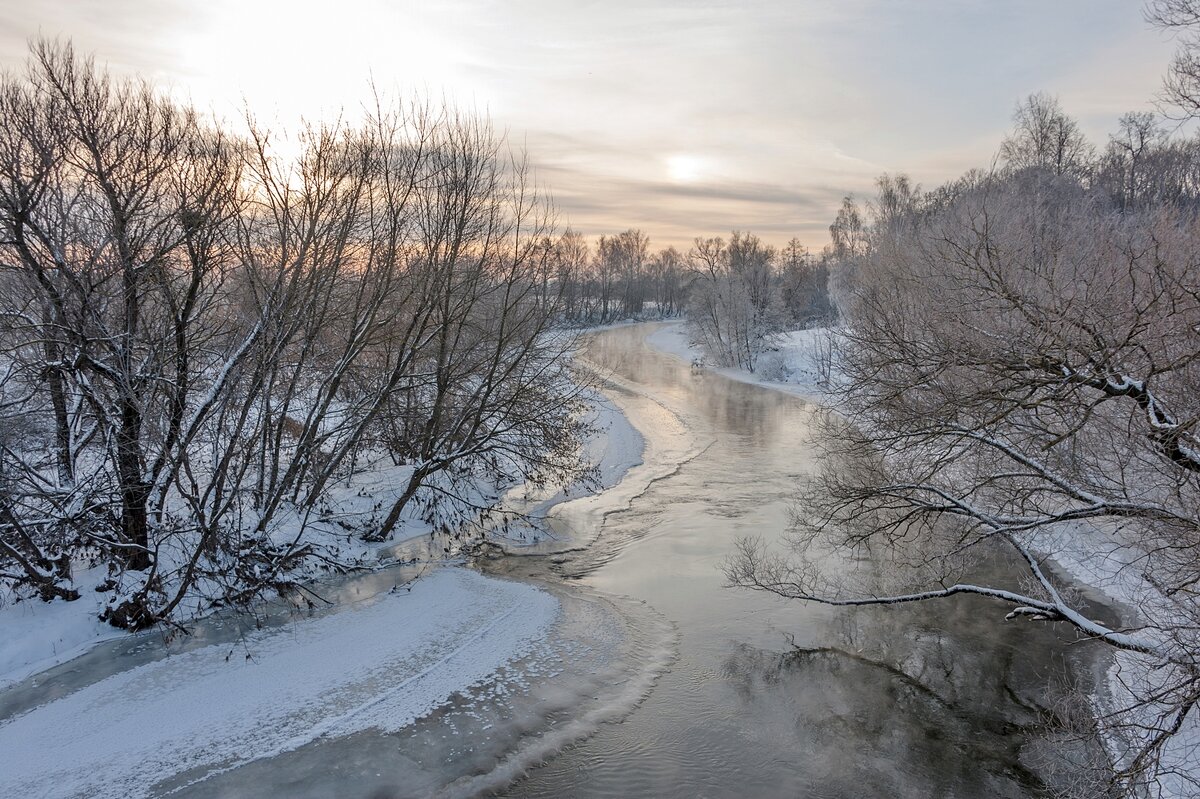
493, 388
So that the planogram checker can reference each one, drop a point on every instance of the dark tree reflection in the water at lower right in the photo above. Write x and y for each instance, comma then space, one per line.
914, 717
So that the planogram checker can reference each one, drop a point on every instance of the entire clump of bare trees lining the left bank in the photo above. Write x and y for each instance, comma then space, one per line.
214, 338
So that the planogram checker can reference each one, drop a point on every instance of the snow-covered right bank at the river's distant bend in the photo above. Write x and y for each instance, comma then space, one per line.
794, 364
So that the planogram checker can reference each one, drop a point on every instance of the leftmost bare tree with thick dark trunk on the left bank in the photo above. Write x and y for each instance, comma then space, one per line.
117, 212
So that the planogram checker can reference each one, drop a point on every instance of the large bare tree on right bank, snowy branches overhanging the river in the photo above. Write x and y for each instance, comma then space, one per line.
1022, 370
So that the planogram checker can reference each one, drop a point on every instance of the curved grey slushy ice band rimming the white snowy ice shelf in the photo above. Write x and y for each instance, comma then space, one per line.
601, 660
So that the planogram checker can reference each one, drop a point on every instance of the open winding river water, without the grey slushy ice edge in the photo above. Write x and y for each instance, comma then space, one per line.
772, 698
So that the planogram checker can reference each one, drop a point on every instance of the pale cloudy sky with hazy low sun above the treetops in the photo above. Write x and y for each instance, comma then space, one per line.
682, 119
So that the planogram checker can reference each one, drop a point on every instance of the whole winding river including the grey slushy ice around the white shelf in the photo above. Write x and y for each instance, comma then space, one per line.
657, 680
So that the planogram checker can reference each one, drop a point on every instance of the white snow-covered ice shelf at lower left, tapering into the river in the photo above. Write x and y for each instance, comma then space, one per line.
375, 666
